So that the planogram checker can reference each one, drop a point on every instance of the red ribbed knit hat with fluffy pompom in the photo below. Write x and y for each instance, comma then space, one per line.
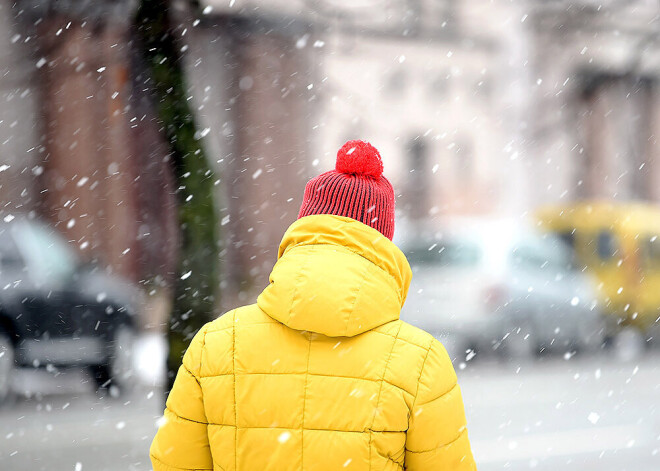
356, 189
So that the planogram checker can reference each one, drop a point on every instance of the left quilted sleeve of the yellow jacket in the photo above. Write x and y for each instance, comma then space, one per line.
181, 442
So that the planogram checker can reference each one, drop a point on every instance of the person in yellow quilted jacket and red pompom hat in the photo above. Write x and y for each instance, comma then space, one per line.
320, 373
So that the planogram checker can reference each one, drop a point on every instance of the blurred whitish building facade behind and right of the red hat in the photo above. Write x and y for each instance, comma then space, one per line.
497, 108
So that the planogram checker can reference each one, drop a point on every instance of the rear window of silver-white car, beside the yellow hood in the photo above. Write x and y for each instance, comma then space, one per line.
445, 254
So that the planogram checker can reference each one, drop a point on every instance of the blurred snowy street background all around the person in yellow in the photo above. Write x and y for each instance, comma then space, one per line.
153, 152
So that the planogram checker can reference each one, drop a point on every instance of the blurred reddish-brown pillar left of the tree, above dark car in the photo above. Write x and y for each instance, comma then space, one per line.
89, 174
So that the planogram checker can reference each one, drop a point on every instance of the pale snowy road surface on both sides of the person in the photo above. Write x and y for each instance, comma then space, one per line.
579, 413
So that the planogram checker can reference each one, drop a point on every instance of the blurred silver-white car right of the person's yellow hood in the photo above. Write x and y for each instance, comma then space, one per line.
496, 286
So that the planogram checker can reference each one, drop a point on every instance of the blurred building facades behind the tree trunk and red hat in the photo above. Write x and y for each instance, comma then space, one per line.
478, 108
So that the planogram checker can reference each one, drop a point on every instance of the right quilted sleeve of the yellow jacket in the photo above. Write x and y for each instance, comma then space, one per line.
437, 433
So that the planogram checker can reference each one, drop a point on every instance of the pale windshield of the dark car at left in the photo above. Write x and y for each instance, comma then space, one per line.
50, 258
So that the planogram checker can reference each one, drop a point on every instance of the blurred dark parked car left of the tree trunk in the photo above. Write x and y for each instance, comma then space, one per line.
55, 311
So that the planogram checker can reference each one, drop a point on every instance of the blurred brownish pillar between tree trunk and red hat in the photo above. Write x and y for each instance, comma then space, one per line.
272, 128
